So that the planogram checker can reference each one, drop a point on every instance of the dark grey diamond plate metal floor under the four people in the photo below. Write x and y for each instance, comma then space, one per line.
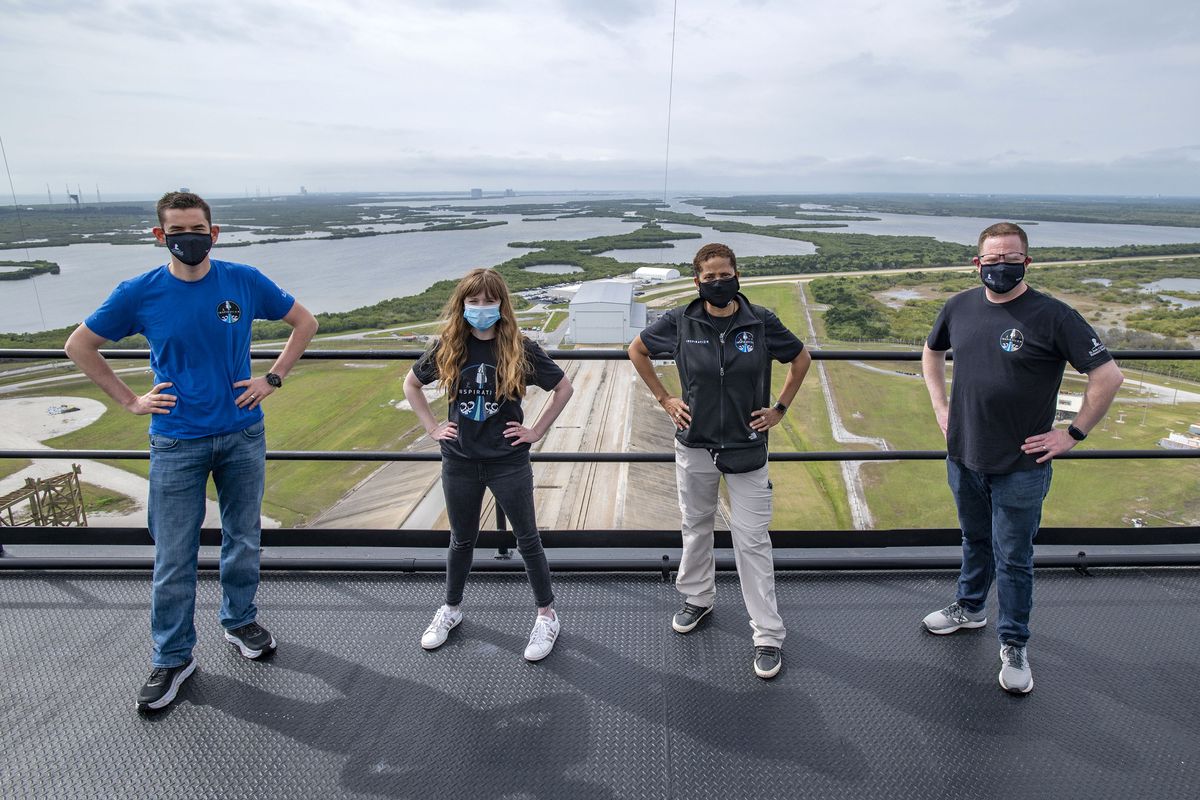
867, 707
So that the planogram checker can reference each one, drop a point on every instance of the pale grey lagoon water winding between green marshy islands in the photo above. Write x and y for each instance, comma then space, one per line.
340, 275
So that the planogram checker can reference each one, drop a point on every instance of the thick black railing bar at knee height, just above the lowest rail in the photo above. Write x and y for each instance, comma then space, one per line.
604, 539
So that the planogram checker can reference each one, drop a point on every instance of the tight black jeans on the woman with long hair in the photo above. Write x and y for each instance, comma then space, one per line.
512, 485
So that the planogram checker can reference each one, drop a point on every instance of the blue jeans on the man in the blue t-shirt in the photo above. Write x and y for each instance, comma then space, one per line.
179, 473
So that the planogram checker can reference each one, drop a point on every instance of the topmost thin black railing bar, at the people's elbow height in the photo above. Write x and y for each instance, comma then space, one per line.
579, 356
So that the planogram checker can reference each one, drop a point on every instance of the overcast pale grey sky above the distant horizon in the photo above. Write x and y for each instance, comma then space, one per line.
1029, 97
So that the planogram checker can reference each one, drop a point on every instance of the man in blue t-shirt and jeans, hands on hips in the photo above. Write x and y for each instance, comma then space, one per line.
206, 419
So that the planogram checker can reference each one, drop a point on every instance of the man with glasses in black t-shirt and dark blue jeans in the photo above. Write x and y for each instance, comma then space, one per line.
1011, 346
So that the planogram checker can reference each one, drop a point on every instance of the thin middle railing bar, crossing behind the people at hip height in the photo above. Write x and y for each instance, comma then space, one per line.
598, 458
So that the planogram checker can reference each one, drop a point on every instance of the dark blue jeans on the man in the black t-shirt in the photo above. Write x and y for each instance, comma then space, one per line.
1000, 516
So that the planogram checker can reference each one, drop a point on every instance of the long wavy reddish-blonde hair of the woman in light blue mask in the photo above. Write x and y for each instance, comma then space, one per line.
512, 364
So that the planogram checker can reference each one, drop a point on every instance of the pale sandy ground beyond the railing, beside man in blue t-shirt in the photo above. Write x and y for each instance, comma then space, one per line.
27, 425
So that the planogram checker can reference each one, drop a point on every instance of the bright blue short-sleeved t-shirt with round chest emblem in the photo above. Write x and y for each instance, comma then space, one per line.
200, 340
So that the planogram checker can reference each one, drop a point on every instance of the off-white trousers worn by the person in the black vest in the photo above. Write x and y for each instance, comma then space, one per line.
751, 501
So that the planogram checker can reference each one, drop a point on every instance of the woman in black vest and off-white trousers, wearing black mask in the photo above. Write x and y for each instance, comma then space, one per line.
723, 347
